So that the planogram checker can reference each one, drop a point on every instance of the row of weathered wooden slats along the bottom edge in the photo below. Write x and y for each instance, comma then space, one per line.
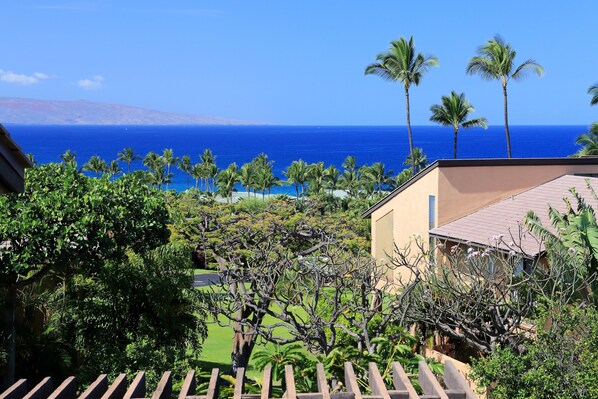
455, 386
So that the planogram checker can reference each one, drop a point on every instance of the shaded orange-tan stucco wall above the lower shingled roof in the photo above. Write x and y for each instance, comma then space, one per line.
464, 190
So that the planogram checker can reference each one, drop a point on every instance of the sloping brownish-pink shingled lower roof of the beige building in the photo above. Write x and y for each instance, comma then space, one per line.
502, 224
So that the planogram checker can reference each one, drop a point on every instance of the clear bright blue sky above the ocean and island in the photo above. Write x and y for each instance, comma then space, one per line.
297, 62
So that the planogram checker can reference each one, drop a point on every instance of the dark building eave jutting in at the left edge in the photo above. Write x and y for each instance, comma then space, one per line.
12, 164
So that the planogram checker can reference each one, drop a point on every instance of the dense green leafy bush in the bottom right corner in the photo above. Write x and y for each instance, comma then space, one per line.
560, 362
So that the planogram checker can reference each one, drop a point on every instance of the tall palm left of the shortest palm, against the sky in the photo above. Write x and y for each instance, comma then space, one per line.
402, 64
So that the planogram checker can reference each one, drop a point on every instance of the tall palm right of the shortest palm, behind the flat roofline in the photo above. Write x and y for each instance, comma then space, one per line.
495, 61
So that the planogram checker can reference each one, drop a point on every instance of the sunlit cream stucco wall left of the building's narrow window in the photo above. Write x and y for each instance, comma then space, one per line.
410, 215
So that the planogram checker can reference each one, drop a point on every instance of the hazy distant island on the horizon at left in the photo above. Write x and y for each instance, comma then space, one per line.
80, 112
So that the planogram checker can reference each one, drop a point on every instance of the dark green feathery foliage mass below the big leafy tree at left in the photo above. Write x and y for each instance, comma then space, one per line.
140, 313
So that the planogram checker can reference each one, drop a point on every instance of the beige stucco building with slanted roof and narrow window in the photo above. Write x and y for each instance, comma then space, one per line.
441, 201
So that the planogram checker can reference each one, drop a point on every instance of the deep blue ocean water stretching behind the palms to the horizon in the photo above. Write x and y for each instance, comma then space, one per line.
284, 144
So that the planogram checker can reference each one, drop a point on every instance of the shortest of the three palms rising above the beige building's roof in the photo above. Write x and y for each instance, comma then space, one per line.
454, 111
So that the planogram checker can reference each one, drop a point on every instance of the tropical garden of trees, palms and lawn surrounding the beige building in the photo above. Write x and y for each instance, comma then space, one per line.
97, 266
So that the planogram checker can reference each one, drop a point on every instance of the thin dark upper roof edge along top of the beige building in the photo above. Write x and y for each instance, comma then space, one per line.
448, 163
